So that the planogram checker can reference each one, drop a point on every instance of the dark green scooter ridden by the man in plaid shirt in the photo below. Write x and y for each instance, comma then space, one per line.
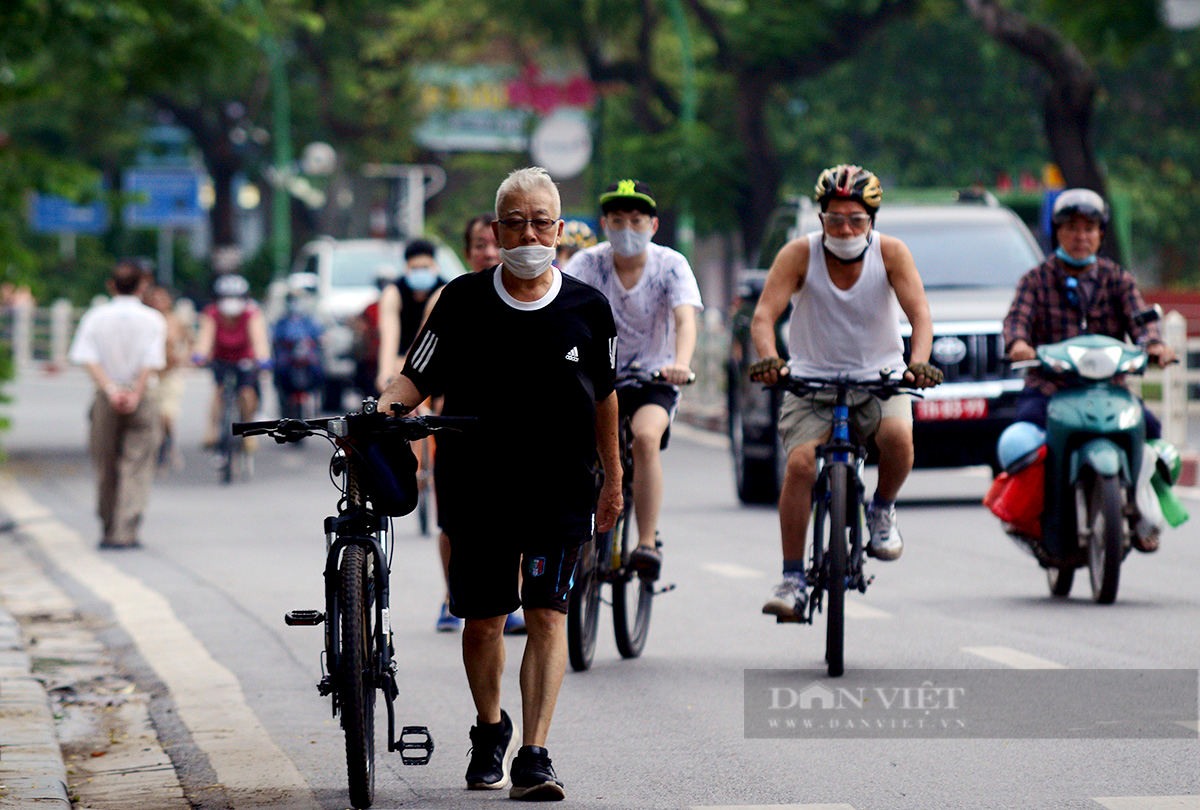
1096, 434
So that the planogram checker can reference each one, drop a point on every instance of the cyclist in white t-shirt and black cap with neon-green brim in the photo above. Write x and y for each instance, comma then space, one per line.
655, 301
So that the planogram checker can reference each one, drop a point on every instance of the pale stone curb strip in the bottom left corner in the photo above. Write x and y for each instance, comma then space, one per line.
32, 770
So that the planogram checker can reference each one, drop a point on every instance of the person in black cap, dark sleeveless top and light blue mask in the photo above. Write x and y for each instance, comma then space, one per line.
403, 307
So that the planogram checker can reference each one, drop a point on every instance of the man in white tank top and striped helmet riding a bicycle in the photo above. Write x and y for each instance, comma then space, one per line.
847, 286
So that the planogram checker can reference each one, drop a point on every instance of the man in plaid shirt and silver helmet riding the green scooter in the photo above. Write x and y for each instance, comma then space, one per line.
1076, 292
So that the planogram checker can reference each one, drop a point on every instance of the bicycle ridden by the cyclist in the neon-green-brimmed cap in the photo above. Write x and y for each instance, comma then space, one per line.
604, 560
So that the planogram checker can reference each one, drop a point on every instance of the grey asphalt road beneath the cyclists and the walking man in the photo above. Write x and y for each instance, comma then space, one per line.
202, 610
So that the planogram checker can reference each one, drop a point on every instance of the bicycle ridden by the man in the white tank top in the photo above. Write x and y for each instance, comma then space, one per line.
837, 555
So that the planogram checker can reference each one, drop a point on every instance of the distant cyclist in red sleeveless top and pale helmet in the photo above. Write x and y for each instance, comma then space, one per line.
233, 335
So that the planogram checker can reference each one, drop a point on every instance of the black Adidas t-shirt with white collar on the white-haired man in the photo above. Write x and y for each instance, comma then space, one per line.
532, 374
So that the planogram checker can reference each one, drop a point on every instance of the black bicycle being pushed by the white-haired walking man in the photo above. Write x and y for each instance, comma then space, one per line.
377, 475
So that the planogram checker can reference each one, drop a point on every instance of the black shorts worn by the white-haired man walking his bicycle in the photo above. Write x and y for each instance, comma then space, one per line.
484, 573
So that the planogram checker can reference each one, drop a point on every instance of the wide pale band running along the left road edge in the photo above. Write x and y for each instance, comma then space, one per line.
209, 700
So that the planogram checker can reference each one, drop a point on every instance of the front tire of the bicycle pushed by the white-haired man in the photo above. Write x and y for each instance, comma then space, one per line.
357, 677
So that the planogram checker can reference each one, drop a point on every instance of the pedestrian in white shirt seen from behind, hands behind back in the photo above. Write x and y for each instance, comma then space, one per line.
123, 346
